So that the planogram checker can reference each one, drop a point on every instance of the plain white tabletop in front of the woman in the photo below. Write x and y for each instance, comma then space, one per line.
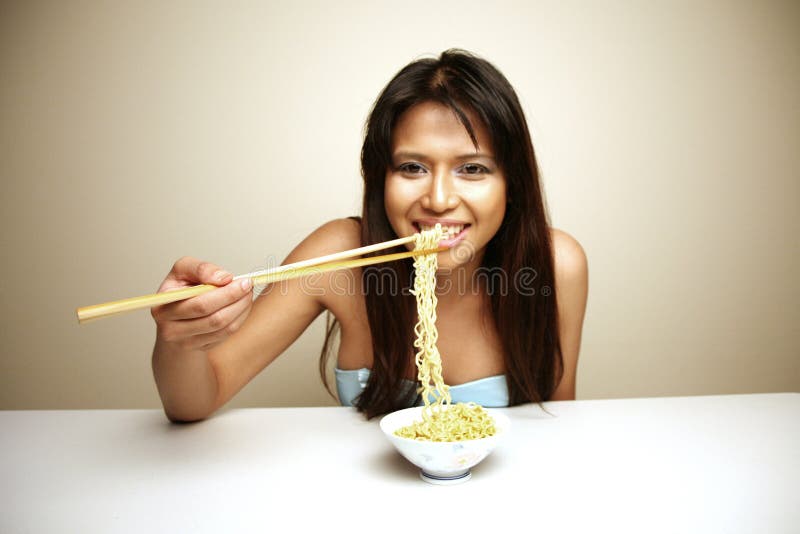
689, 464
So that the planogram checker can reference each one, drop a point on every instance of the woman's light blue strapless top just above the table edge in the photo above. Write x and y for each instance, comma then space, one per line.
491, 392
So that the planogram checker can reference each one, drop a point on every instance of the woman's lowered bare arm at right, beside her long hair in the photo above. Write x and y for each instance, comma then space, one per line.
572, 285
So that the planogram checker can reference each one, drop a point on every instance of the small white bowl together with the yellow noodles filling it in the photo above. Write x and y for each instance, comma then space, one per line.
445, 441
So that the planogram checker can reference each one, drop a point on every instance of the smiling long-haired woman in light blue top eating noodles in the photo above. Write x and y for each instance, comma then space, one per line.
447, 143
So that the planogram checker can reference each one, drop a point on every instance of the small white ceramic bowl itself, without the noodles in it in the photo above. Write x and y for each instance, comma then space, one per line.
442, 462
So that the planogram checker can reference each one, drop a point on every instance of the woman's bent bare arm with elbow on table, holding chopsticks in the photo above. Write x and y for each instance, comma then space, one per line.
193, 381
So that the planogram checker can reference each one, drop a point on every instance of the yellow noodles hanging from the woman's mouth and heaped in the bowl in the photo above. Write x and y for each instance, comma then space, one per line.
441, 420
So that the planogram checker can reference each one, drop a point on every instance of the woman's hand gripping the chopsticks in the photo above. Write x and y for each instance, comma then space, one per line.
204, 321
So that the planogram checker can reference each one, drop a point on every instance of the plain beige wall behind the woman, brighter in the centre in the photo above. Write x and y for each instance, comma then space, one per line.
132, 133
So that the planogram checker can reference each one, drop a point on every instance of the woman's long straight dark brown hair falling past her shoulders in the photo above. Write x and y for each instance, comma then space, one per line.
525, 318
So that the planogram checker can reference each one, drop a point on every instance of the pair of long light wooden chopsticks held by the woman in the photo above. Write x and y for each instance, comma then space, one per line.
330, 262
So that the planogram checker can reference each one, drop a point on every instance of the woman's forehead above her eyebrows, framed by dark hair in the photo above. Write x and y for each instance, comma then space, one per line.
436, 125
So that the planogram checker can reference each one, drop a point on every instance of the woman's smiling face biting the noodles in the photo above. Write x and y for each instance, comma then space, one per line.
438, 175
